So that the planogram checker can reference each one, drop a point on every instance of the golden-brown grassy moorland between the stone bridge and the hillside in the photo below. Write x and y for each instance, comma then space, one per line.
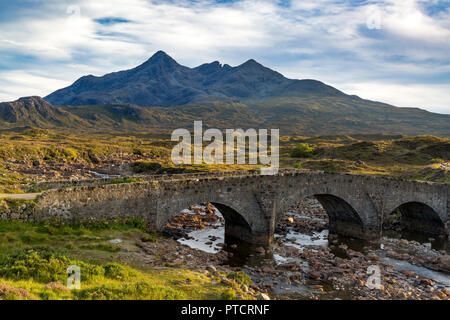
405, 157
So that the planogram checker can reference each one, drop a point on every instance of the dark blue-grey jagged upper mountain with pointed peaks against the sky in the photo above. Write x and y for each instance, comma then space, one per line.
161, 81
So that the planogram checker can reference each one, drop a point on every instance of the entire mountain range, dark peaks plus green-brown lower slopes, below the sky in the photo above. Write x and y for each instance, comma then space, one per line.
162, 95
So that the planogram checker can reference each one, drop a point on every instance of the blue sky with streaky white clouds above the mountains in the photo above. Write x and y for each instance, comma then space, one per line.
394, 51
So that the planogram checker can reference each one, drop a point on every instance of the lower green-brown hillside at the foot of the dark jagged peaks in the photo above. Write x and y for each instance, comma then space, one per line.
303, 116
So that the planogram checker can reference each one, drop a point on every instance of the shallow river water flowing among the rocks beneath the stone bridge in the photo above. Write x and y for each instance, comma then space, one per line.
211, 240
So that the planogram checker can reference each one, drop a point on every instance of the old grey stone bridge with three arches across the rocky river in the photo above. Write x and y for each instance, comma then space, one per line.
251, 203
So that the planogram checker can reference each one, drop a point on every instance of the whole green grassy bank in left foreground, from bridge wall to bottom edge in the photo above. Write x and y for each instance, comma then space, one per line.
34, 260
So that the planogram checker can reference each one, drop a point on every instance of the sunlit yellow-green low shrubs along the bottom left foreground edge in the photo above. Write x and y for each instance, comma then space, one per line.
41, 274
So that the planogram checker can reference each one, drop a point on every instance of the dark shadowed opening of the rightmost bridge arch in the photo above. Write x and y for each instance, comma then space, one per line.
419, 217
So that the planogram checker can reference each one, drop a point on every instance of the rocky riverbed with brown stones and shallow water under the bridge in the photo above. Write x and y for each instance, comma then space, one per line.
305, 262
